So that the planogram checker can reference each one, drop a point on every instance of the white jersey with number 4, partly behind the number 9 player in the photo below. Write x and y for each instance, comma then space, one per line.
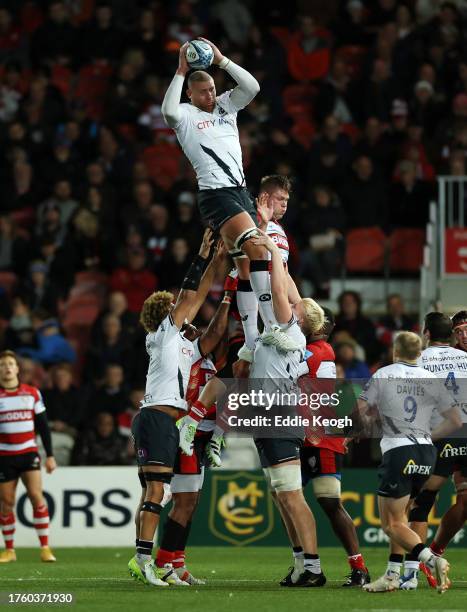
447, 363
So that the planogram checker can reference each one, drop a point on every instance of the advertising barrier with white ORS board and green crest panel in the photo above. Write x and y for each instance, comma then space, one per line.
94, 507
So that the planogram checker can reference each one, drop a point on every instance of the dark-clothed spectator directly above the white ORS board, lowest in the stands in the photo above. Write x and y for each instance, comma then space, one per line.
101, 445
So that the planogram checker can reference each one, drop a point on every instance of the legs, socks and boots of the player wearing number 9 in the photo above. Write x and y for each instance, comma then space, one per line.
394, 522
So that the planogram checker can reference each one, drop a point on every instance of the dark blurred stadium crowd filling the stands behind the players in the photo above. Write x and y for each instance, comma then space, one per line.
361, 102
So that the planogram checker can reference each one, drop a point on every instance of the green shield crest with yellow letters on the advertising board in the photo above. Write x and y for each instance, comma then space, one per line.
241, 508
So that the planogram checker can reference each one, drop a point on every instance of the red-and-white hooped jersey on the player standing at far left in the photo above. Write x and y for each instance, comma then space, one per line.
17, 411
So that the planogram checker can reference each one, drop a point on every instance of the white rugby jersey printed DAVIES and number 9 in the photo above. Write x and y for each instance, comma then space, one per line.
406, 396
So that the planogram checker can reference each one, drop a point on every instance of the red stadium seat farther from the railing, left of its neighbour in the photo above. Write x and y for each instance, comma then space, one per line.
365, 250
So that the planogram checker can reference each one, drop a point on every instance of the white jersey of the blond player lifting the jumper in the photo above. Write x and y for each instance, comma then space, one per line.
282, 369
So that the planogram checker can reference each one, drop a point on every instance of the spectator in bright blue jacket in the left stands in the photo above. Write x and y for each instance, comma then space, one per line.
52, 346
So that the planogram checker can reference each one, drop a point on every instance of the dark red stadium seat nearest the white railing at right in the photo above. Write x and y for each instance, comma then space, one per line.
406, 249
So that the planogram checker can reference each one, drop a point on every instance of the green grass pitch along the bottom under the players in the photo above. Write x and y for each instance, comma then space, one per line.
239, 579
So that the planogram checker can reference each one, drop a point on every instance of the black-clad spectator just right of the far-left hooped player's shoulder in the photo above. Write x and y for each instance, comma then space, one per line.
64, 402
